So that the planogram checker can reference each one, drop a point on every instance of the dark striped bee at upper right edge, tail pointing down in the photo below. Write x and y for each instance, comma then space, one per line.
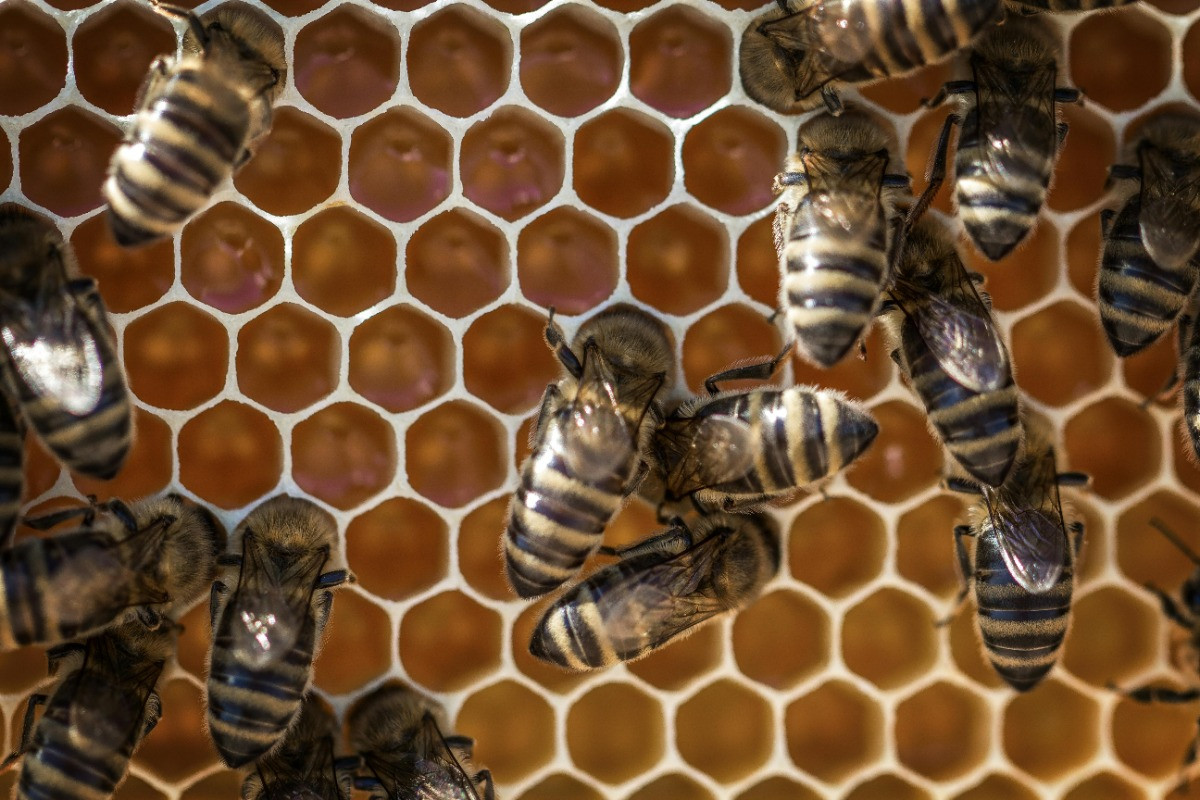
1149, 266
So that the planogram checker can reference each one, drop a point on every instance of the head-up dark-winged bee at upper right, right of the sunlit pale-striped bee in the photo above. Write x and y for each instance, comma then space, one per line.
1011, 133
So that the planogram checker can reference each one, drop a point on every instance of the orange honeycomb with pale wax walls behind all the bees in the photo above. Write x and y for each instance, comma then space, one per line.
358, 318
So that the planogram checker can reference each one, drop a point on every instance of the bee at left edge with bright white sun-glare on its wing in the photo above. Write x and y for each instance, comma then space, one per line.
62, 366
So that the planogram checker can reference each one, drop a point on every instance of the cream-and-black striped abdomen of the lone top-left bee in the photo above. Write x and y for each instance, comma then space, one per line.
187, 137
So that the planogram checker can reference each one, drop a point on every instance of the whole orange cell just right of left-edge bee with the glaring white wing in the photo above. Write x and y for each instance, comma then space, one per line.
177, 357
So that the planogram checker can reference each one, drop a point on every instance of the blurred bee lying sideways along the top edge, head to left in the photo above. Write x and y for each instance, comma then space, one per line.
801, 49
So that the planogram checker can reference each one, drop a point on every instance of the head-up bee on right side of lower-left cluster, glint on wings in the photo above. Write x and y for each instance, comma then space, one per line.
269, 607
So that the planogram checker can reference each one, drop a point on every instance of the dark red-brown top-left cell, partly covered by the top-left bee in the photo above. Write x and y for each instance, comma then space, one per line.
113, 51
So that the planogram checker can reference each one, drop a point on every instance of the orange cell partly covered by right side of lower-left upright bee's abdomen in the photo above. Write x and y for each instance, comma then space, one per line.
361, 633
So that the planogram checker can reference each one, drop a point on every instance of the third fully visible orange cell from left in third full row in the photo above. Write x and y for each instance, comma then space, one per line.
457, 263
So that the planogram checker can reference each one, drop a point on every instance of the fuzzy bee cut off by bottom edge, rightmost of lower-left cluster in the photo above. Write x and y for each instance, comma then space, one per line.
399, 736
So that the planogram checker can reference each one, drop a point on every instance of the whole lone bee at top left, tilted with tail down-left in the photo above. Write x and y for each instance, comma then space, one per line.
199, 119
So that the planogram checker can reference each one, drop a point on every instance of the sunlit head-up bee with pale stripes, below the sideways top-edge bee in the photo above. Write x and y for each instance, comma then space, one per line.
841, 209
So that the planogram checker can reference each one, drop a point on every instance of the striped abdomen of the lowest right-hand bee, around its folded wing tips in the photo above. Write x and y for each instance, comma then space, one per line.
1022, 631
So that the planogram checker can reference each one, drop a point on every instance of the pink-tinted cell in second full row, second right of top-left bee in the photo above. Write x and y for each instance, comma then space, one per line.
400, 165
